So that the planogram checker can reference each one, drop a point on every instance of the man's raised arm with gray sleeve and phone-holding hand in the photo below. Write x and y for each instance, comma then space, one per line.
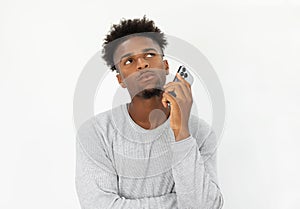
193, 167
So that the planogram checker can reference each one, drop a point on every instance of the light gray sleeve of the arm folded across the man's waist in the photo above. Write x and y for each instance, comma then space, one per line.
97, 181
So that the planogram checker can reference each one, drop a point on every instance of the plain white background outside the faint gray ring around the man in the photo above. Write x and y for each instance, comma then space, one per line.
253, 46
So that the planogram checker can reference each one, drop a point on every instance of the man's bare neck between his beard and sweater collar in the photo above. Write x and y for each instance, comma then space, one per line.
148, 113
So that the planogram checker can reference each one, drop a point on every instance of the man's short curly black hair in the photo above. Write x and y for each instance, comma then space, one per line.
126, 29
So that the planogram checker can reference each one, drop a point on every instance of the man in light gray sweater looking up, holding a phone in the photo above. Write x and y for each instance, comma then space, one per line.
150, 153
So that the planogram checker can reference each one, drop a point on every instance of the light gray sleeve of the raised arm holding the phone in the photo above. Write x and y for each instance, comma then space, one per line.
194, 172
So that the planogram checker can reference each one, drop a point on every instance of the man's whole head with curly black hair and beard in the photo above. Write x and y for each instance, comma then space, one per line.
134, 48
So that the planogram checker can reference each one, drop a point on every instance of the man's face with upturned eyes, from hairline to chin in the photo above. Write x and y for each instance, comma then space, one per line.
139, 61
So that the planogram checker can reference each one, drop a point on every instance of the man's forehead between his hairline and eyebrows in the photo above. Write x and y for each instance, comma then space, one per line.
135, 45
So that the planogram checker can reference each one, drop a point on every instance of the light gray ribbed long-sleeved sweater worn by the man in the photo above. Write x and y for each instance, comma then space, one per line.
121, 165
